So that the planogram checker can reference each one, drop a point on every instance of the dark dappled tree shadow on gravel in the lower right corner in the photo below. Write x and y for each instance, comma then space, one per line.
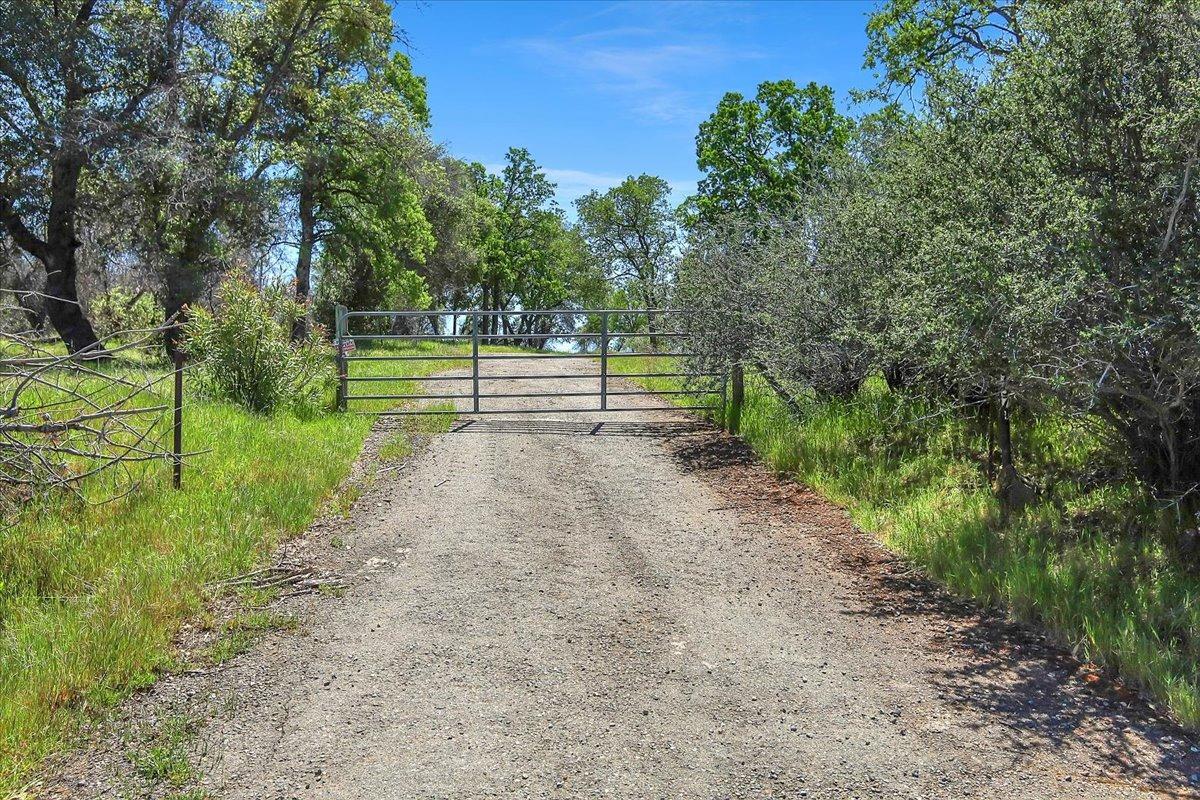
1036, 693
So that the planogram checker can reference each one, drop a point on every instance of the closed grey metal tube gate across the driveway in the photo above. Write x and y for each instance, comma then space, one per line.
602, 347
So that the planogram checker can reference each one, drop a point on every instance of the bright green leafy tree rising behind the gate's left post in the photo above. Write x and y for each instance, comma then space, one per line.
362, 215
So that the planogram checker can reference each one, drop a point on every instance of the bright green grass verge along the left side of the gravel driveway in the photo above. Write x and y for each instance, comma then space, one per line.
93, 594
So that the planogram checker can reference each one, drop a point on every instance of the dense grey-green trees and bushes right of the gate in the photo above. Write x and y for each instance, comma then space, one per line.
1013, 233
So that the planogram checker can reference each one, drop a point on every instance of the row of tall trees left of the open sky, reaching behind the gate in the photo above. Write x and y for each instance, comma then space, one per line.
153, 148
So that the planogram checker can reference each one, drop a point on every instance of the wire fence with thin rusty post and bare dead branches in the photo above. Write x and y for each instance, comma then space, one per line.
98, 418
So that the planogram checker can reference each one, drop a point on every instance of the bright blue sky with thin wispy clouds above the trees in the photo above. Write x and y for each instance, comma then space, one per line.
601, 91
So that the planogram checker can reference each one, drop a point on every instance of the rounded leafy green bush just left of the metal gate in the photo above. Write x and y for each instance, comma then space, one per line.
247, 354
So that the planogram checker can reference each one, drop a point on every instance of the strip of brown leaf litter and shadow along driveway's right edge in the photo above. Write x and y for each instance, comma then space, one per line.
994, 673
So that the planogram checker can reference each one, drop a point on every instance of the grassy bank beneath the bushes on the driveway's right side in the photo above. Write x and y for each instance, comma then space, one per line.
1087, 563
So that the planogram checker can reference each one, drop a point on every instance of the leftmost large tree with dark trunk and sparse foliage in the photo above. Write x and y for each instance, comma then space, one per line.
77, 86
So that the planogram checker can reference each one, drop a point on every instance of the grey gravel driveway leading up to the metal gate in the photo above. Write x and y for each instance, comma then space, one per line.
551, 609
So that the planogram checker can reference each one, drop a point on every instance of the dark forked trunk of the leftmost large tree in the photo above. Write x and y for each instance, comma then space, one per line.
57, 254
